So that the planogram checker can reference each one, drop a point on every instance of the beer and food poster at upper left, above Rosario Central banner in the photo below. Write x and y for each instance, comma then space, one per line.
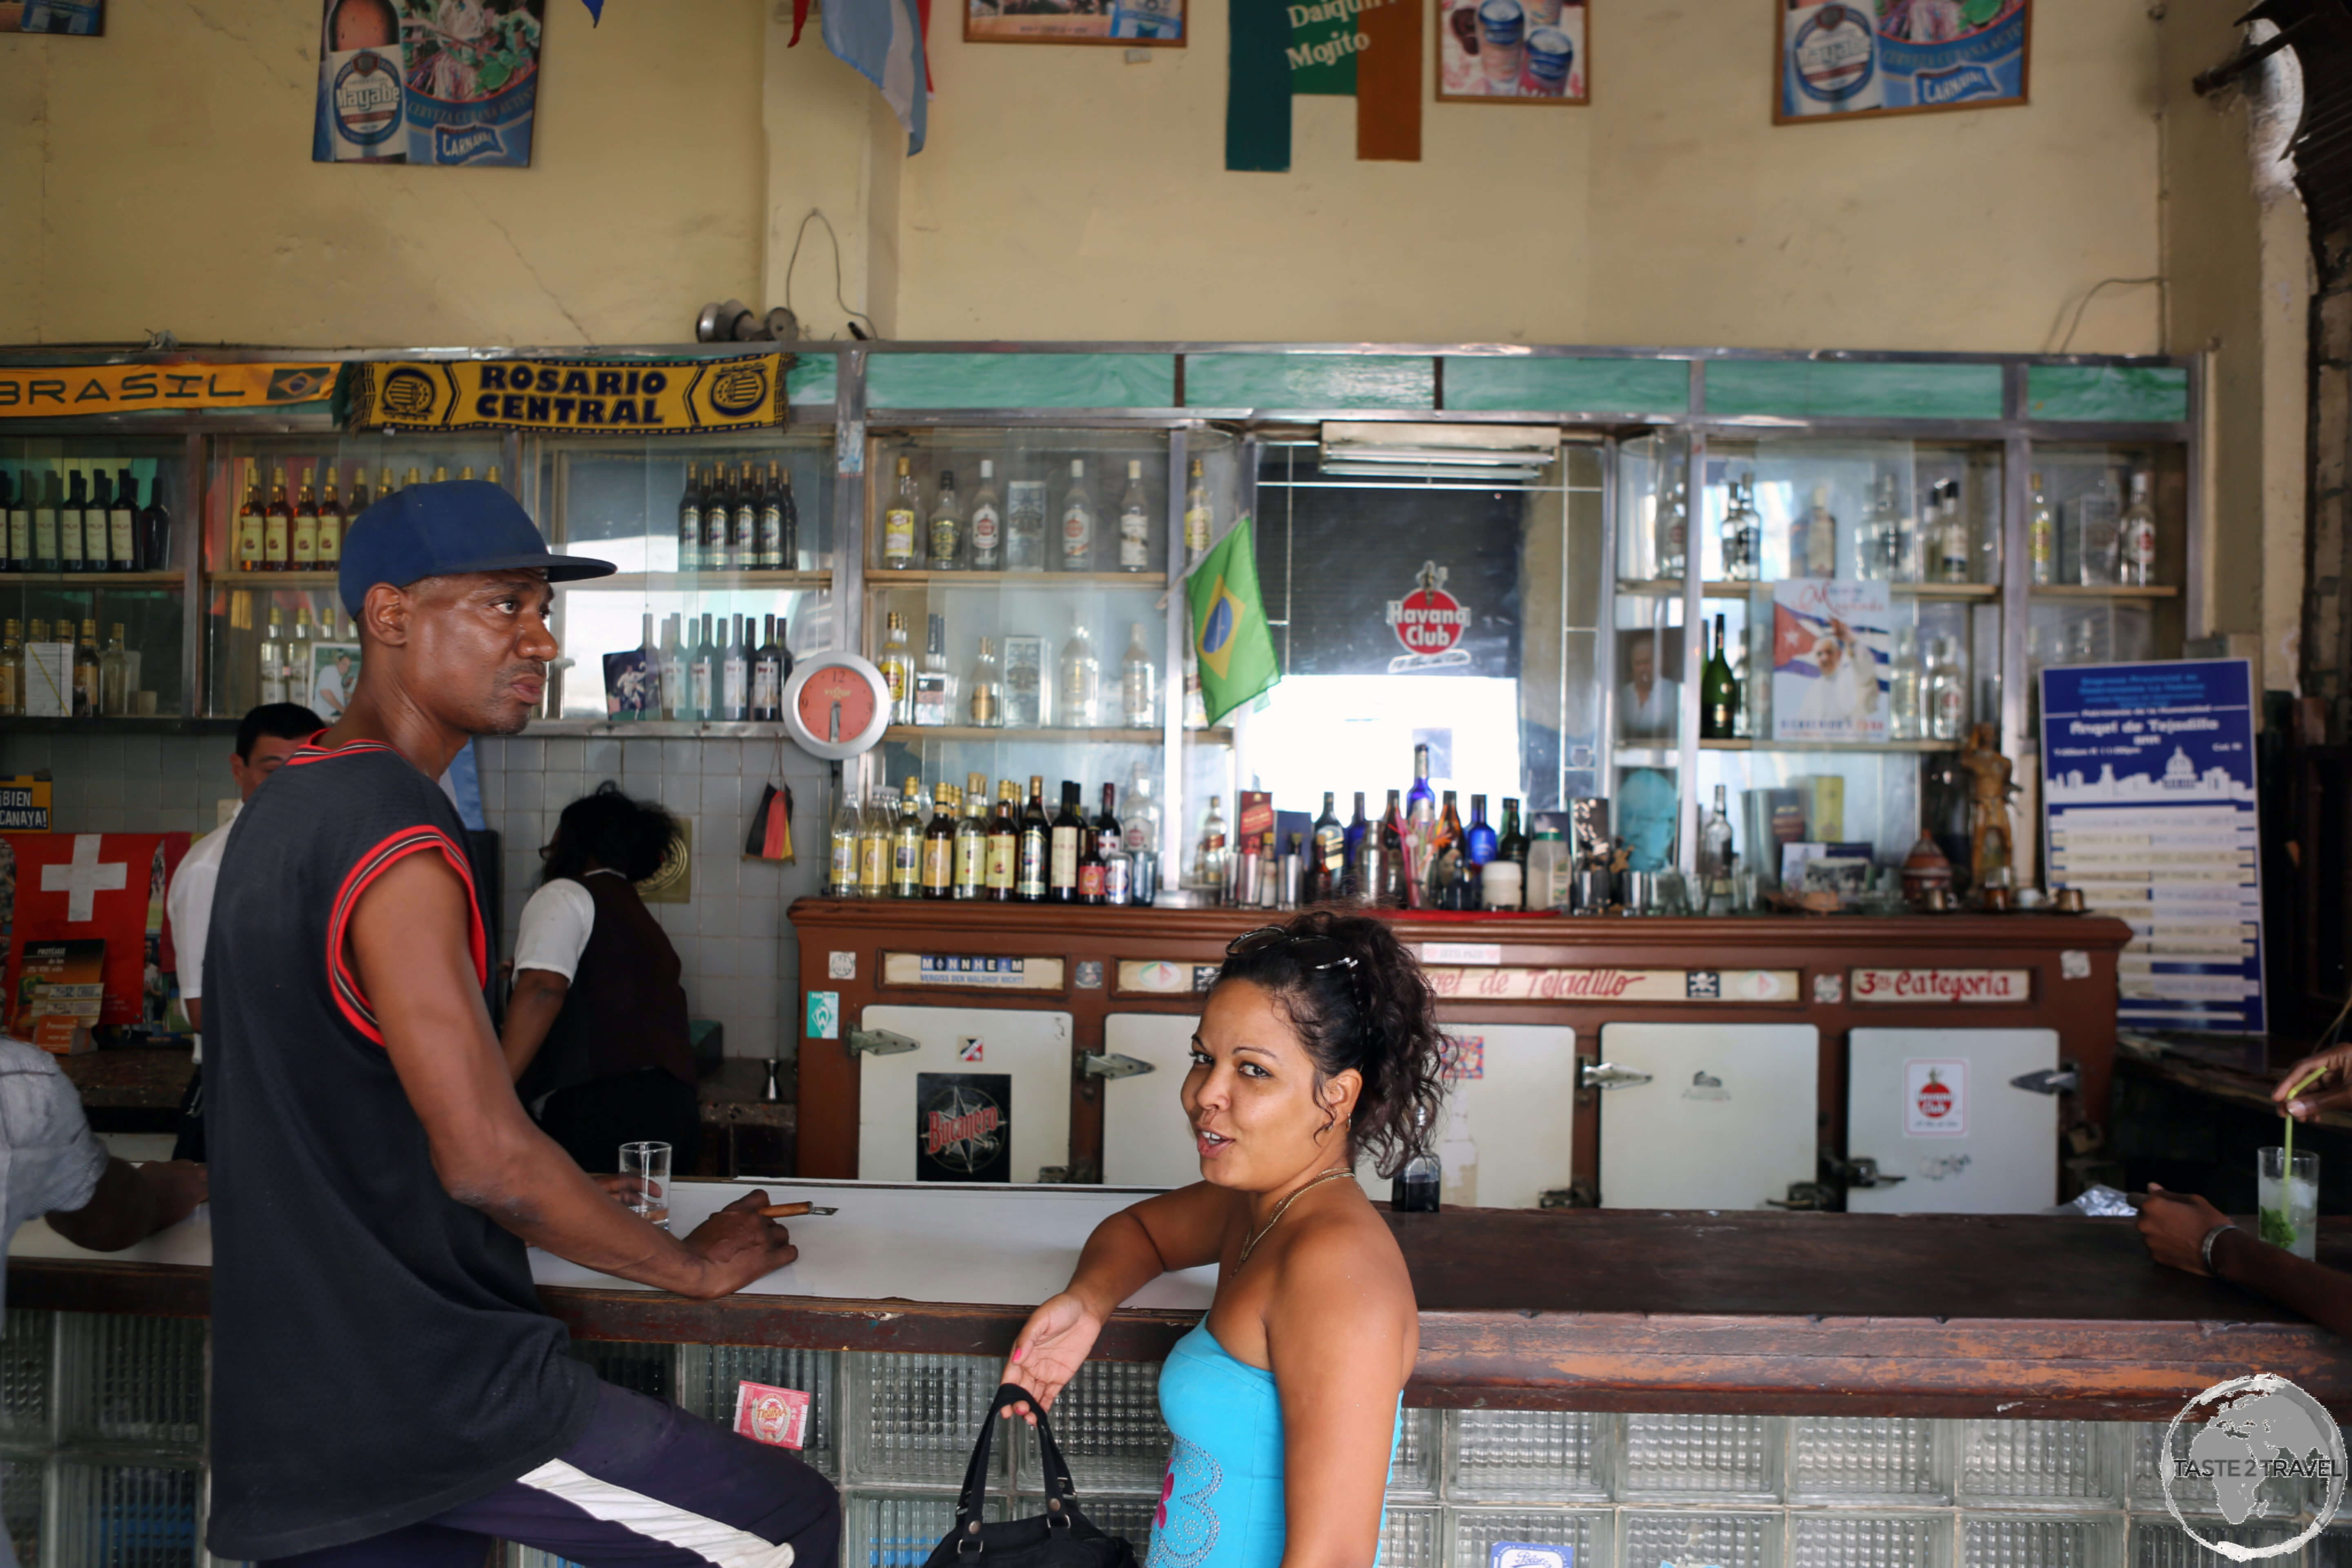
427, 81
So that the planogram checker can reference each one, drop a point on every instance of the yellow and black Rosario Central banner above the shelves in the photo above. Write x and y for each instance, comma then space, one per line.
570, 396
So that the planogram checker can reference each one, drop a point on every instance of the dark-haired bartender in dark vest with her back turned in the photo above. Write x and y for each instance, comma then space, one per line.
596, 1031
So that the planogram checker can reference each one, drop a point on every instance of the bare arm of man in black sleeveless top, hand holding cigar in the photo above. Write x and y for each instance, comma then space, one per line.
408, 946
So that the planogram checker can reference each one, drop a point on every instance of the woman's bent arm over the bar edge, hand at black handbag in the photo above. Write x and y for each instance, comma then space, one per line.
1135, 1247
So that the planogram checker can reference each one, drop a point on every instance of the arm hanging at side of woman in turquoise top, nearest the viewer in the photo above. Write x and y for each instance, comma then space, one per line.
1339, 1336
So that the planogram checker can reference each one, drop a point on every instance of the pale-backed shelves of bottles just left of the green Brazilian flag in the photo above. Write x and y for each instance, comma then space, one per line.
1020, 603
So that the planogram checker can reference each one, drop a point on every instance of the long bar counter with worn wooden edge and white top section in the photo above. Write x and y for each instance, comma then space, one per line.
1546, 1311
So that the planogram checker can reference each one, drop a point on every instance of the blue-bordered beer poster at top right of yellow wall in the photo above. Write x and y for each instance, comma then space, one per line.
1892, 58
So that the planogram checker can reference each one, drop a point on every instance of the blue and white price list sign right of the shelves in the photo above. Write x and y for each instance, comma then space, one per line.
2151, 810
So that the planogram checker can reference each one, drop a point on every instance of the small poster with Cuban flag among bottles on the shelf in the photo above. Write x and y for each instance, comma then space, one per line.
1829, 659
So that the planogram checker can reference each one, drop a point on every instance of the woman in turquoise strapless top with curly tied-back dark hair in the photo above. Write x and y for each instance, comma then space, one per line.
1318, 1043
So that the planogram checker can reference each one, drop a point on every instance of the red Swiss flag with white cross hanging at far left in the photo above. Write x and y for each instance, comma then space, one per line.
105, 885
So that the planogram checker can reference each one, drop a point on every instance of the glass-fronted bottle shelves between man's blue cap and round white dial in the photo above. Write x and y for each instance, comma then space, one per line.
726, 556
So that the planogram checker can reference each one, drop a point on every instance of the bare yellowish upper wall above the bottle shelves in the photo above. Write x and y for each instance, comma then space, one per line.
161, 180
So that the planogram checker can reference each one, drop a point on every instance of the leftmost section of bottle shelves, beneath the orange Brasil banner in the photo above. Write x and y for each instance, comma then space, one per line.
93, 603
